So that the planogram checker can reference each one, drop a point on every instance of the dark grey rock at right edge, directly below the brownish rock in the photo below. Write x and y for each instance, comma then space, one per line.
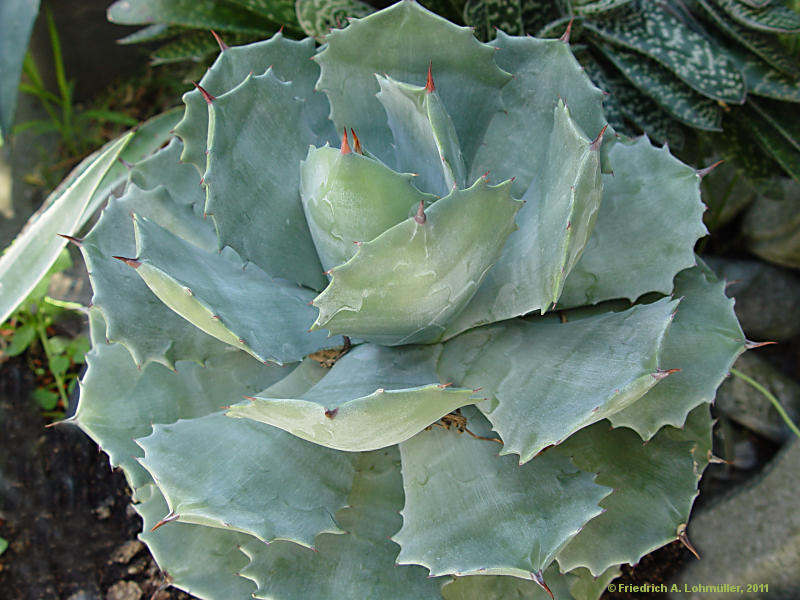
767, 297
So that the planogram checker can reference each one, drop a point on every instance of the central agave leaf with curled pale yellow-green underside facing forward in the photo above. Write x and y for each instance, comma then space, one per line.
373, 397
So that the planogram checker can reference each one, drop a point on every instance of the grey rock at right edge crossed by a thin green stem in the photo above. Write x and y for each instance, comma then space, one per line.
747, 406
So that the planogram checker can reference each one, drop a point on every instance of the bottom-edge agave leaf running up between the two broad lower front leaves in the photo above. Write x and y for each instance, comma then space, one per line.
357, 564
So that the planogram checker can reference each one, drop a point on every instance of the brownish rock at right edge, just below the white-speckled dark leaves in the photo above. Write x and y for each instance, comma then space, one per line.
772, 227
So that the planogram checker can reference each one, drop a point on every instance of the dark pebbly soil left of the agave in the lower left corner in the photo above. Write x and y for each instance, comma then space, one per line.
64, 513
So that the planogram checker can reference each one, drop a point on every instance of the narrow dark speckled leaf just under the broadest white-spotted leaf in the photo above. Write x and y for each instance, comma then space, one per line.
674, 96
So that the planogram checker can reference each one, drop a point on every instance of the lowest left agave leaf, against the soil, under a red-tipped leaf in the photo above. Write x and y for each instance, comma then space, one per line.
180, 547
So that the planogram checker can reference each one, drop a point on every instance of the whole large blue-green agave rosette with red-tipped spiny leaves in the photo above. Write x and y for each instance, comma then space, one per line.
442, 354
